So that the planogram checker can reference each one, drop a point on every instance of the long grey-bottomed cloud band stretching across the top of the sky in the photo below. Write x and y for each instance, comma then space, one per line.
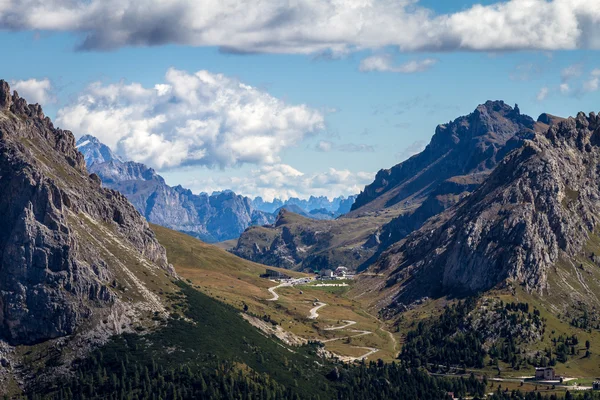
313, 26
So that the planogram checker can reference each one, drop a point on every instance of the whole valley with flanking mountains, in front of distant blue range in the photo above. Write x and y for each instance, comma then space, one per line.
434, 286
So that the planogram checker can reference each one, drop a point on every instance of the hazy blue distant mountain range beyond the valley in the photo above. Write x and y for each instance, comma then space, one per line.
213, 218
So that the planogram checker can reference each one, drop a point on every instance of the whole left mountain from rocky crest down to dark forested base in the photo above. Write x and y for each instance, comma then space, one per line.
82, 274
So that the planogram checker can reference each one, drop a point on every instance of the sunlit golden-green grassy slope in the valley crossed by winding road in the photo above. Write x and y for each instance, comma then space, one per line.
236, 281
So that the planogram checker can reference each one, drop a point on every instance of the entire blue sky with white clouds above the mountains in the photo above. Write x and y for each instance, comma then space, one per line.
292, 98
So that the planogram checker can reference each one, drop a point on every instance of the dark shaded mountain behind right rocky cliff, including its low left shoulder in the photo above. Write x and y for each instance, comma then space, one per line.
461, 154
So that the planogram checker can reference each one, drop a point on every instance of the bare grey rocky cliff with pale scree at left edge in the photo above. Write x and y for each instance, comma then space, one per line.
64, 240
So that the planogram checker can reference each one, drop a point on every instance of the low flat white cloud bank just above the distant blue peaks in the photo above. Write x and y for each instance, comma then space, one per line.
283, 181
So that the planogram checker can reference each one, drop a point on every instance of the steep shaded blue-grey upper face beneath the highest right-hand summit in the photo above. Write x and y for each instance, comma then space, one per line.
467, 145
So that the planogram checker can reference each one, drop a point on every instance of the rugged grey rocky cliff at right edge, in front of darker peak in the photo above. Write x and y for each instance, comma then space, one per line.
540, 205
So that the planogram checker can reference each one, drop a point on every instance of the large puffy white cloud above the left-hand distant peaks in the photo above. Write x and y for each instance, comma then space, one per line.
190, 119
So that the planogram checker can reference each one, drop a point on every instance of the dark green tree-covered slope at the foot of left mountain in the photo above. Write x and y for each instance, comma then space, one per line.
209, 353
